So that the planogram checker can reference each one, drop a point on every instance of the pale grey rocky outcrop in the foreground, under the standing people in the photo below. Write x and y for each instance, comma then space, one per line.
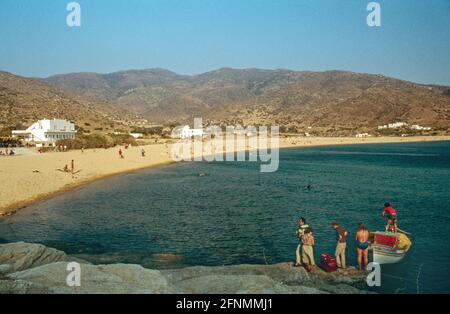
33, 268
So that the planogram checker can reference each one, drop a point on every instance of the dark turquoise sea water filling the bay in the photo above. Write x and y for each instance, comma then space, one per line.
238, 215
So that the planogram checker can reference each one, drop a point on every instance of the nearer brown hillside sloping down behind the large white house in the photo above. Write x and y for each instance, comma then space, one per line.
25, 100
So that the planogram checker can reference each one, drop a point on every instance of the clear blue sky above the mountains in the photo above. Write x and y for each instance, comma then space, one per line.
195, 36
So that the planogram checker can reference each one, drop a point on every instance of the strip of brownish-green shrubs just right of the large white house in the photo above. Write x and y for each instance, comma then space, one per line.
97, 141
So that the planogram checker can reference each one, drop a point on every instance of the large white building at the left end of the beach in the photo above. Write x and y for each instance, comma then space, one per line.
47, 132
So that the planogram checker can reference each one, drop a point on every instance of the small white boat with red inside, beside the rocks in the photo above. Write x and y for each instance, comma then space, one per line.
389, 248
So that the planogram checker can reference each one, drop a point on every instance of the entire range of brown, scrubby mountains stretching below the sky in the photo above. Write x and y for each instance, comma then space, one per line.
331, 102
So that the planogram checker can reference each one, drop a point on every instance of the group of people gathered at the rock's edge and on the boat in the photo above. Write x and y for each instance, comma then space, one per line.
305, 253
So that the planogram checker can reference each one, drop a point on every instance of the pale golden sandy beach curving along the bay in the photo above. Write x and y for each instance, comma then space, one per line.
31, 177
